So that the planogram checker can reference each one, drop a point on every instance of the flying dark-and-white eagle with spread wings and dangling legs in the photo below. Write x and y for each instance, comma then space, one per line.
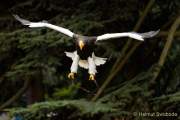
84, 55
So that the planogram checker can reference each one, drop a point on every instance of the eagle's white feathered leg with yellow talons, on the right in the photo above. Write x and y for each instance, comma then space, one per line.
92, 68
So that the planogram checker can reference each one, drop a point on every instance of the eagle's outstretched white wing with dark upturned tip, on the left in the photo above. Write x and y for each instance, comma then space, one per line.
44, 24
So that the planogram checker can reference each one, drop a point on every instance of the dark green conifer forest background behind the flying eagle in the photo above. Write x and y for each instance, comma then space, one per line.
138, 76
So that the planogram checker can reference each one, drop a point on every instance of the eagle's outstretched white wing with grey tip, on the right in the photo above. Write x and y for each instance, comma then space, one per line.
134, 35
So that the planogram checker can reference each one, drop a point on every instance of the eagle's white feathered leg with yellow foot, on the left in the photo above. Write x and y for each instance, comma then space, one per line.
74, 67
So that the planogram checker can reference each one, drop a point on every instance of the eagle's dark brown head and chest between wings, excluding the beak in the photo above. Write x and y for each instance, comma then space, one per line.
89, 44
